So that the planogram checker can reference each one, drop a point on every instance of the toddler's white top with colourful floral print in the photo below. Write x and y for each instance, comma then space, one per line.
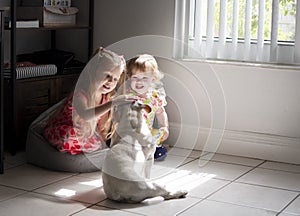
155, 99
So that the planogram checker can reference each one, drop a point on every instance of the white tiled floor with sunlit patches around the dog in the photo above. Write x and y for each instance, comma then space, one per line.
218, 185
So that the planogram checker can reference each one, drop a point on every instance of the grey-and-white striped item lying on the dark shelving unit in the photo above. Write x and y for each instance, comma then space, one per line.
33, 71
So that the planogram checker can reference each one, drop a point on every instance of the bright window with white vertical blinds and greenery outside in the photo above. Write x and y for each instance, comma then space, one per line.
238, 30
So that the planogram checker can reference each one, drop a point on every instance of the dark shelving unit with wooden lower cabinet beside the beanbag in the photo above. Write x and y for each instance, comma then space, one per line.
55, 86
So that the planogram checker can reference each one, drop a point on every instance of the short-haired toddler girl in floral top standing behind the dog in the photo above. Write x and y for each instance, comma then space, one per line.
144, 77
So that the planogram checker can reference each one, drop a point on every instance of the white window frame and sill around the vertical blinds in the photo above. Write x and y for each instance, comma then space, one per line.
185, 47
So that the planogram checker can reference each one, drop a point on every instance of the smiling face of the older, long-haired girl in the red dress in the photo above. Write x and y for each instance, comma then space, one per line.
108, 80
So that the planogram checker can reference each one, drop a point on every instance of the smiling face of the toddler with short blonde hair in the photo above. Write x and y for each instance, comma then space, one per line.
141, 81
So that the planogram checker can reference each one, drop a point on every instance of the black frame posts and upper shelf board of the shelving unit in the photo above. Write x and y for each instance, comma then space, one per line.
13, 57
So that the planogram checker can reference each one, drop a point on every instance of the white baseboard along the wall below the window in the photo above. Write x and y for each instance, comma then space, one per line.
241, 143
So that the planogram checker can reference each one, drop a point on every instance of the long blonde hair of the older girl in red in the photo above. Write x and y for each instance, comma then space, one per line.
102, 60
